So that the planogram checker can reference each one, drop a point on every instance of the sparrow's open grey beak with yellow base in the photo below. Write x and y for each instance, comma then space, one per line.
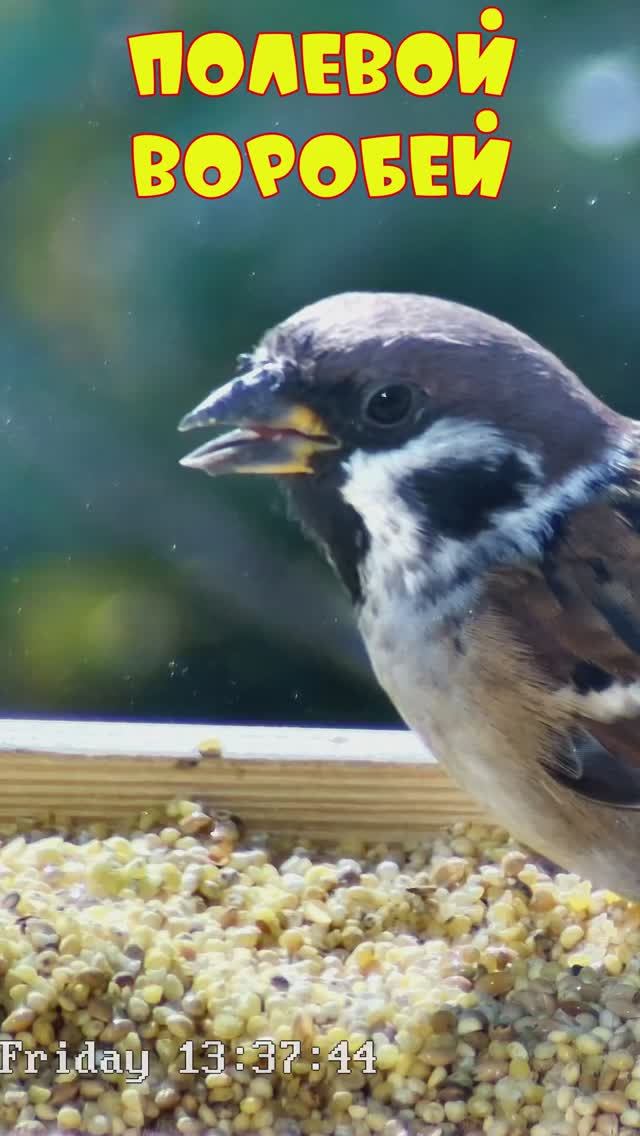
273, 435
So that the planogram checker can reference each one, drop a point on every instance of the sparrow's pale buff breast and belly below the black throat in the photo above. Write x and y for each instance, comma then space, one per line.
469, 691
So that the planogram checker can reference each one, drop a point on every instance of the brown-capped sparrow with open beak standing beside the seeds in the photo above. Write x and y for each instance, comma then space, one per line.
483, 509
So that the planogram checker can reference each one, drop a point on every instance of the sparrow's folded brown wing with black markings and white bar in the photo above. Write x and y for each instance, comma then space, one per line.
580, 613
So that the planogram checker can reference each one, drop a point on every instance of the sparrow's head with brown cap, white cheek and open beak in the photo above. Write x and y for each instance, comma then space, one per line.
410, 425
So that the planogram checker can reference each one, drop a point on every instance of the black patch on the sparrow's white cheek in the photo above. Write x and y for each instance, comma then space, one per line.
462, 498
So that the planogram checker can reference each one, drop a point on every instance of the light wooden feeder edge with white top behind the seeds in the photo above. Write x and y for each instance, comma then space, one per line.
317, 782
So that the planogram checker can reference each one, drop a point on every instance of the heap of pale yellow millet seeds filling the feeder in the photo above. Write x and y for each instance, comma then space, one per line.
498, 999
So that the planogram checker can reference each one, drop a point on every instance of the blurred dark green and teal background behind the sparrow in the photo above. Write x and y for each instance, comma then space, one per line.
131, 588
